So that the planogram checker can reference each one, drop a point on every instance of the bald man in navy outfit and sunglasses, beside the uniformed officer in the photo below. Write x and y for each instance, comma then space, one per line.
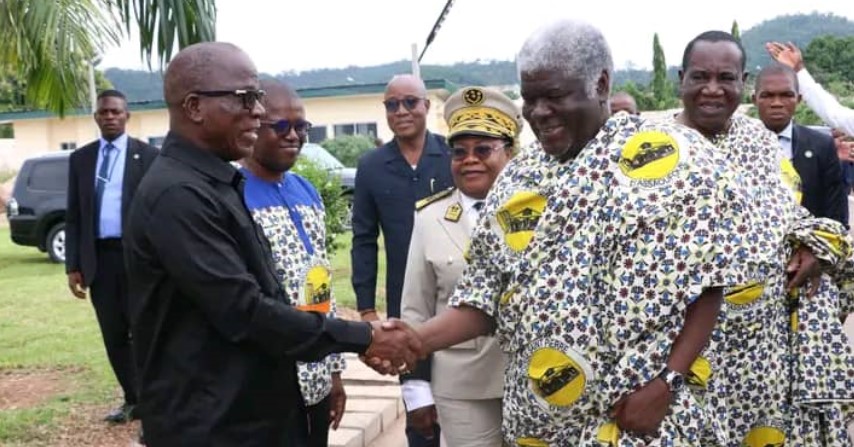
389, 180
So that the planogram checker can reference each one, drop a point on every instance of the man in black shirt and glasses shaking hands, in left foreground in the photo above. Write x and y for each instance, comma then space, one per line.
215, 340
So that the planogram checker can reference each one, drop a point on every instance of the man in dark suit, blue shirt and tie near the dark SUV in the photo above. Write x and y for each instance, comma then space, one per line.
102, 180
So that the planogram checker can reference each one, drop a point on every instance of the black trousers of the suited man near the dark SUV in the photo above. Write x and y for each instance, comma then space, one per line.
110, 299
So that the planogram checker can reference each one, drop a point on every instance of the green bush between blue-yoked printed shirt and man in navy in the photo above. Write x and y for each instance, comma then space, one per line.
335, 204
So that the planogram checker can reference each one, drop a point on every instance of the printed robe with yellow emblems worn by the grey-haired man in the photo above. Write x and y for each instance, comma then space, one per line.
588, 268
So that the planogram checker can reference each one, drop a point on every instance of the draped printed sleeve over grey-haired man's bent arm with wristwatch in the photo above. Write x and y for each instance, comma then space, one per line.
668, 257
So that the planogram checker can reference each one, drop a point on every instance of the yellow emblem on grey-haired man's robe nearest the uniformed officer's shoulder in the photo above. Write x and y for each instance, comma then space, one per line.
518, 218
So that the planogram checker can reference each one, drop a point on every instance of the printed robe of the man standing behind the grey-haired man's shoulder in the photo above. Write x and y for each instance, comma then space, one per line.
788, 365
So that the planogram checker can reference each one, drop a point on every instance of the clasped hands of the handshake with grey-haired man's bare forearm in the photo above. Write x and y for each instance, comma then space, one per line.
396, 346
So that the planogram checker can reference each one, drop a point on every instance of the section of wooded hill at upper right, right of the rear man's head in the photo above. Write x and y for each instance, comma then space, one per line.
800, 29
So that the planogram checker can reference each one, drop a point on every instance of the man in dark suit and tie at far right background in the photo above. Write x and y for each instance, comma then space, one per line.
812, 153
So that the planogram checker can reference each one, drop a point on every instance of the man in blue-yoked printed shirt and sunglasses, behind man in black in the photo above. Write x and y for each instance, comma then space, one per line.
290, 212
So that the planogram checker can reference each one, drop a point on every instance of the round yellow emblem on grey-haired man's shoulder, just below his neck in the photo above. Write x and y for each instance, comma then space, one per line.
649, 155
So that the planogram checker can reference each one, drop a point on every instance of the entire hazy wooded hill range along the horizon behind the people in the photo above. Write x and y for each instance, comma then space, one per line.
801, 29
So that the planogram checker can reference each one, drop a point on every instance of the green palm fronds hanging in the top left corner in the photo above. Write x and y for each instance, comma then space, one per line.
49, 44
